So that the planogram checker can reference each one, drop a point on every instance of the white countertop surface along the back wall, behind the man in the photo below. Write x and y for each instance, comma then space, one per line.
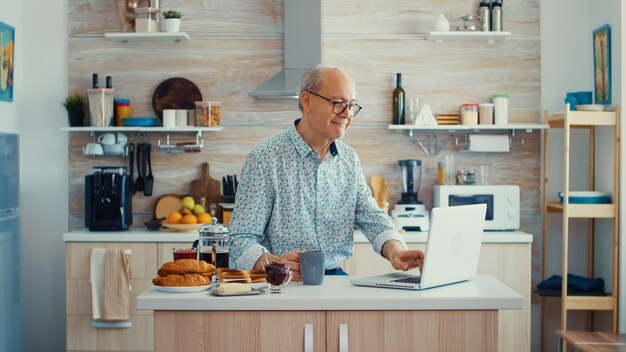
141, 235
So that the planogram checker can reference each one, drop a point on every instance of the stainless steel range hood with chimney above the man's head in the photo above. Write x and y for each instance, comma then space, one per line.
303, 49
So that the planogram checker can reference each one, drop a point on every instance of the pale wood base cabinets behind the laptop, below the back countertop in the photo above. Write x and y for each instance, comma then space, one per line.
508, 262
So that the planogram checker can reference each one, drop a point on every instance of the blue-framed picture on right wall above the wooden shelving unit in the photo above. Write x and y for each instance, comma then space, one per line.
602, 64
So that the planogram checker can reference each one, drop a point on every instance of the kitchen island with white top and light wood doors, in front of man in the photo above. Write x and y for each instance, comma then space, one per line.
335, 316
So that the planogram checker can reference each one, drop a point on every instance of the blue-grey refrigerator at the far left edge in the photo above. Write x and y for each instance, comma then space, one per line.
10, 307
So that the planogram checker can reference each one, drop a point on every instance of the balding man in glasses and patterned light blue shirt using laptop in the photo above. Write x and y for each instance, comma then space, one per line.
303, 189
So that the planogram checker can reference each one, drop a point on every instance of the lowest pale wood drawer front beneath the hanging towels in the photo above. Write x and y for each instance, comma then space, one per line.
82, 337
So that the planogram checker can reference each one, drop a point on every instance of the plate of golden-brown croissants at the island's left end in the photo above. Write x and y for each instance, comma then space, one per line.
184, 275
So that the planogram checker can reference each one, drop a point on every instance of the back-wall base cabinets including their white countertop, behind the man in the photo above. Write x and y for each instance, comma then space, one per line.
504, 255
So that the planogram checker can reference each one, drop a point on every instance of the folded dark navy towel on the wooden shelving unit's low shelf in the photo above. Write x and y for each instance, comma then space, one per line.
576, 285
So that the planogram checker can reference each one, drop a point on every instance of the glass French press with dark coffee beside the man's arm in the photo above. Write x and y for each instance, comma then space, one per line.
213, 244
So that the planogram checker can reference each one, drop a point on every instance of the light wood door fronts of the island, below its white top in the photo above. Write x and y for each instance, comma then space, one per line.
325, 331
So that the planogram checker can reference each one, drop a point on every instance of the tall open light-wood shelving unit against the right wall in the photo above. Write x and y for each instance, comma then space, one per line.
587, 120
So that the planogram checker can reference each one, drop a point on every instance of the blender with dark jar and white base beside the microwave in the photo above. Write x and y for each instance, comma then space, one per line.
409, 213
